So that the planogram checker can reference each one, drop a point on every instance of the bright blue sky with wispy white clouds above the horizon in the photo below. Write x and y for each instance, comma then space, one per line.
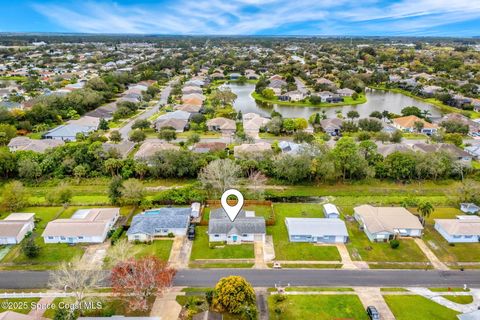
246, 17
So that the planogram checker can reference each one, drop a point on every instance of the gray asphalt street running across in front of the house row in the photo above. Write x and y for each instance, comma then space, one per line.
268, 278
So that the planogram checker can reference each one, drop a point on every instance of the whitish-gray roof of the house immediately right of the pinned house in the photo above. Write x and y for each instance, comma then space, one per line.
316, 227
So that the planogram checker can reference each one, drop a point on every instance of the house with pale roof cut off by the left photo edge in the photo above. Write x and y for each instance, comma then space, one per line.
15, 226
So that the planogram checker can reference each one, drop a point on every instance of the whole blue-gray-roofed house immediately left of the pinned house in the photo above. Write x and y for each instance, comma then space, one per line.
159, 223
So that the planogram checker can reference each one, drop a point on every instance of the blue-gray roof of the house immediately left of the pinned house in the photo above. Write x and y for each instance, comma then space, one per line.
168, 218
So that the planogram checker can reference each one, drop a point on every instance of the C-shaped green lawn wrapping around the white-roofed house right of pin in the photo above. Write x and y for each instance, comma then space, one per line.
286, 250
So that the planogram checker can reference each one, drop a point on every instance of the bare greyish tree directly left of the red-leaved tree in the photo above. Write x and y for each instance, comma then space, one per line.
76, 277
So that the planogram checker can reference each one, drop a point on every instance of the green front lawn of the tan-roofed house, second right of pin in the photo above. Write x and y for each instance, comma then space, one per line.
361, 248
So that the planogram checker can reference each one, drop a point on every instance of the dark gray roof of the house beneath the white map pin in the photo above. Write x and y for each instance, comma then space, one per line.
220, 223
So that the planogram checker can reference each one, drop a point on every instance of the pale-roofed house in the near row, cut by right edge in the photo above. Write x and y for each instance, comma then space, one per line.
464, 229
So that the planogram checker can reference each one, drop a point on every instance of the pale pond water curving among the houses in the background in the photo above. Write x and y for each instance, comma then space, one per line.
377, 100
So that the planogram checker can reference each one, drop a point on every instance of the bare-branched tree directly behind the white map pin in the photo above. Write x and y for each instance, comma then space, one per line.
220, 175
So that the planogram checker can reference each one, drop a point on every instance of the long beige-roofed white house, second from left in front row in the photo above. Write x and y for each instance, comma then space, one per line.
85, 226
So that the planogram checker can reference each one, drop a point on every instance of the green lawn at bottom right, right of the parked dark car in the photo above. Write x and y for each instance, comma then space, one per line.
418, 308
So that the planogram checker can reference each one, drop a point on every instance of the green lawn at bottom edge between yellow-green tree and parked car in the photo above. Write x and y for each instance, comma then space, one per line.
318, 307
